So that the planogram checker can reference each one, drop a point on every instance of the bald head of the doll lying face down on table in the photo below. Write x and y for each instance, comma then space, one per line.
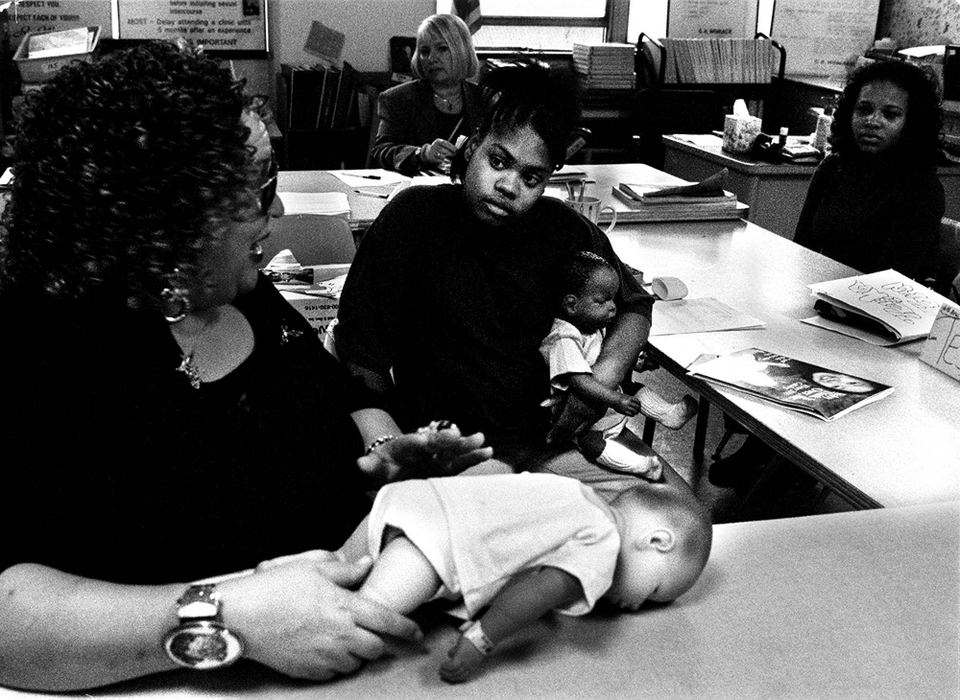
665, 538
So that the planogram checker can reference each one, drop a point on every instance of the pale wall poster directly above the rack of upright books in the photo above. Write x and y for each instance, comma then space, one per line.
712, 19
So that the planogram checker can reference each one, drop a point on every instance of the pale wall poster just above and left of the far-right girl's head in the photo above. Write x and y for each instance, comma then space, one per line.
822, 38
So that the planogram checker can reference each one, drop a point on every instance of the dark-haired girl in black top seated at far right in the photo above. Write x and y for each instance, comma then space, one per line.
876, 202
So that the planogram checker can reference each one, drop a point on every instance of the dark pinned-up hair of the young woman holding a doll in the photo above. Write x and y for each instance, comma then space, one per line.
527, 94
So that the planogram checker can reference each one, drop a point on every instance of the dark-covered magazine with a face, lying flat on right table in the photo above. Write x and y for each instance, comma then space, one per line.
807, 388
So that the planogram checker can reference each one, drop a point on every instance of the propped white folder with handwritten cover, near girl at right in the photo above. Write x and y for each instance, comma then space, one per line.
881, 308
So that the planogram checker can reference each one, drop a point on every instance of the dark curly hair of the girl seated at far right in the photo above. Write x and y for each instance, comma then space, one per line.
920, 141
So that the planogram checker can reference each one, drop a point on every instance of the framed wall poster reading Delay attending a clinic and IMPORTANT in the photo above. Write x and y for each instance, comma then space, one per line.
219, 25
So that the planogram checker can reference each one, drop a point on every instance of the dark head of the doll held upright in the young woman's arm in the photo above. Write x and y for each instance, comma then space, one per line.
587, 287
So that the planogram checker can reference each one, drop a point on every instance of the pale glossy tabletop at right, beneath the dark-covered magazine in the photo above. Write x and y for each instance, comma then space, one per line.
902, 450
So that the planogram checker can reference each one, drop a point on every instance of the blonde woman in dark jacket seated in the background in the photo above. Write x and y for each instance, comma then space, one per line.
420, 119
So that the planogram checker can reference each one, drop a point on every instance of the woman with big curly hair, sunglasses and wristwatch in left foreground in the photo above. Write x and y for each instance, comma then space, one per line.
170, 416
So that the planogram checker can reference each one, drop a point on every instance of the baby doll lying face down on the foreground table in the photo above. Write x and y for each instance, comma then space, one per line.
513, 547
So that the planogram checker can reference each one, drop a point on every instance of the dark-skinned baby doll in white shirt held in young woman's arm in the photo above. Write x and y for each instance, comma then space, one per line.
587, 287
